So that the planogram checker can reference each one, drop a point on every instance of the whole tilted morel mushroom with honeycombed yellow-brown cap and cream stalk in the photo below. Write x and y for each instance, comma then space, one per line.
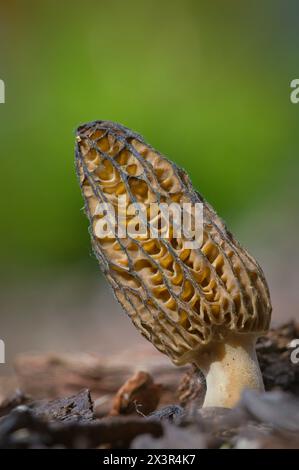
204, 305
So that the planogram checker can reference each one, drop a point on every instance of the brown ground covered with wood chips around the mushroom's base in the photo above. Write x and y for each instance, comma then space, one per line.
85, 401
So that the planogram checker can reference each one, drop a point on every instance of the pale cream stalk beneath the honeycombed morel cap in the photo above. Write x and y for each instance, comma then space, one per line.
230, 367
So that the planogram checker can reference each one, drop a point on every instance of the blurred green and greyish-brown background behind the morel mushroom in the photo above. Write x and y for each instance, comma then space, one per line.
207, 83
